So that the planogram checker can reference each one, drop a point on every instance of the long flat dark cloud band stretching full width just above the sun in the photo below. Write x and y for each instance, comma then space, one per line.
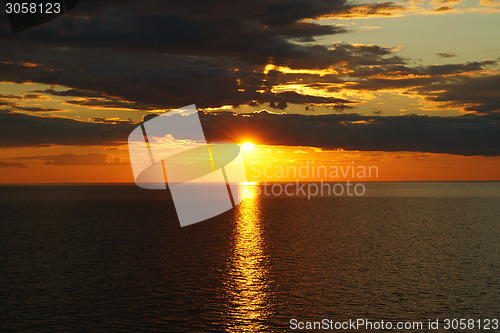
465, 135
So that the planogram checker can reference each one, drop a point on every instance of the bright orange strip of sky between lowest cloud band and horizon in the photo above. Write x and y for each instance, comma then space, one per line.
263, 163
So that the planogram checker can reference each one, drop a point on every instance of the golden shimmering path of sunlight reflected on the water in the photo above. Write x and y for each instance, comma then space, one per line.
247, 282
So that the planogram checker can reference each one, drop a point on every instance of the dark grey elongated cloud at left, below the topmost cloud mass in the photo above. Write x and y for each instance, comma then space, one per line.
157, 80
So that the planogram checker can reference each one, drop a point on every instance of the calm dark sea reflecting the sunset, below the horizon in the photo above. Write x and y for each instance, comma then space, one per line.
104, 258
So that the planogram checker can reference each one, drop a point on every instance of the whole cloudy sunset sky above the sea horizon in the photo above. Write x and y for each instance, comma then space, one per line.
412, 87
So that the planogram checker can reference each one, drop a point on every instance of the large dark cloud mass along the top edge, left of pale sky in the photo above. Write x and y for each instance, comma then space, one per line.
251, 30
